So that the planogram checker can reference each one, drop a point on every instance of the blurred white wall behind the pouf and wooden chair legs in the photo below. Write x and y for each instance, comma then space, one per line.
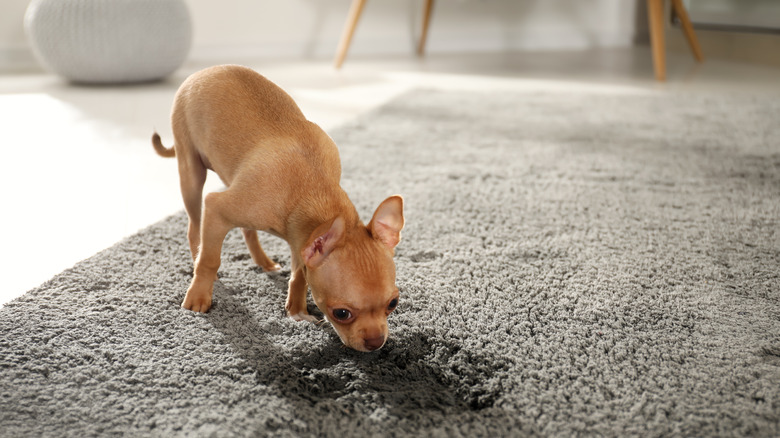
312, 28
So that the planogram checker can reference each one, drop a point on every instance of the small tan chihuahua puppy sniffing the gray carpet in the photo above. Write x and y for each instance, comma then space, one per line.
282, 174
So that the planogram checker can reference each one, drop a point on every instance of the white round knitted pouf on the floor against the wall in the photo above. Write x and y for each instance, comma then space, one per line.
109, 41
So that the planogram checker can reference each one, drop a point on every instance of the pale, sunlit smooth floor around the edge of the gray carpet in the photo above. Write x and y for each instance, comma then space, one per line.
79, 173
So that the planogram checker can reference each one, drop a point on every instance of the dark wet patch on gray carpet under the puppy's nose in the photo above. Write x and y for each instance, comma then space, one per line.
408, 374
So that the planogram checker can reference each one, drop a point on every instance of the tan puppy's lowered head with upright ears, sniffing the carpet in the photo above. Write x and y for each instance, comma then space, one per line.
352, 274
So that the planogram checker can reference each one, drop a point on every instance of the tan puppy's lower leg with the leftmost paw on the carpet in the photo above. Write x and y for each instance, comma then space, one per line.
214, 228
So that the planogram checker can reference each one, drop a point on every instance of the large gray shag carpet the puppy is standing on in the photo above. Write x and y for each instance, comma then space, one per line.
598, 264
